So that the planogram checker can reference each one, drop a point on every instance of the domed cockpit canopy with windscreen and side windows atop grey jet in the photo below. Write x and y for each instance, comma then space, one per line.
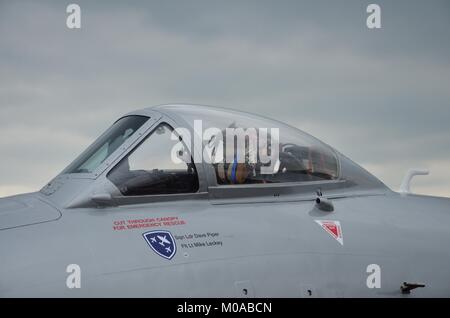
182, 149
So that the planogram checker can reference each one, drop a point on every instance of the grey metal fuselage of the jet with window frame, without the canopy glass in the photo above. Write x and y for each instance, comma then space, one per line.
231, 240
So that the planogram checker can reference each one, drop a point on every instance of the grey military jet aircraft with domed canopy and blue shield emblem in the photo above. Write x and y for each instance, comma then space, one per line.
150, 211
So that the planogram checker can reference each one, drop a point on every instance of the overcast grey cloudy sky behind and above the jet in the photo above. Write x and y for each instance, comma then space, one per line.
379, 96
